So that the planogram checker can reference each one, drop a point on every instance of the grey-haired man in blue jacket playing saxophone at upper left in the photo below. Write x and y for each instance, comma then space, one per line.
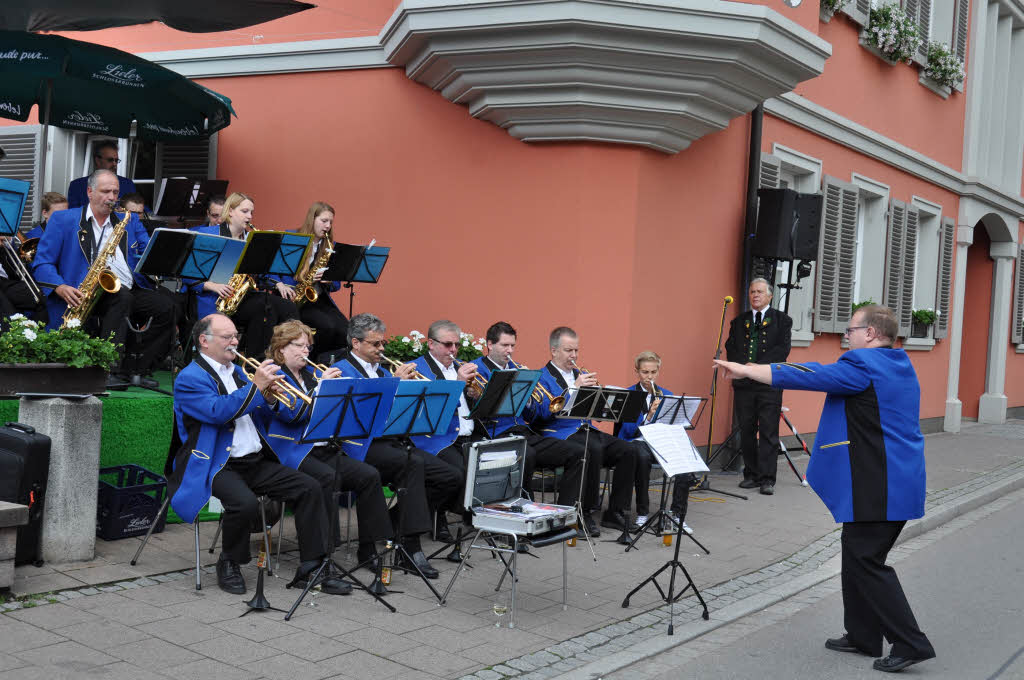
66, 254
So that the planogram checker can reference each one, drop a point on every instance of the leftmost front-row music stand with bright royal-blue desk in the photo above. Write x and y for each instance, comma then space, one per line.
346, 409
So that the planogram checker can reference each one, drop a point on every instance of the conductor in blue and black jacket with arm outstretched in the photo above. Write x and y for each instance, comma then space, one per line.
869, 467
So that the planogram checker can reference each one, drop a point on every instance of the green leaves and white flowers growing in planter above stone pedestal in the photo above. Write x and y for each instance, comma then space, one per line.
27, 343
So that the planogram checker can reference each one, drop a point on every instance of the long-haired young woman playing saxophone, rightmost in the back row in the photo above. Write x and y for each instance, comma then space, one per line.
322, 314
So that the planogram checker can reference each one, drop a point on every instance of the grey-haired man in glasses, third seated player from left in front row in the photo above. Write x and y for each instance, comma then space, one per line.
430, 483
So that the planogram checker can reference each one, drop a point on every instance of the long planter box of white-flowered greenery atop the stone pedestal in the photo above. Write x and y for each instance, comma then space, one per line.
67, 361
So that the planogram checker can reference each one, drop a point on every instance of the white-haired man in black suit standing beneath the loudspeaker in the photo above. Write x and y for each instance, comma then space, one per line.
758, 336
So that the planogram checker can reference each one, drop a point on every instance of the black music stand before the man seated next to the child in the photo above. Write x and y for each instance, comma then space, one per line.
614, 405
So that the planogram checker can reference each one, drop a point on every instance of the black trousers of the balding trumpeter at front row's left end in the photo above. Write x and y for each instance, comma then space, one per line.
243, 480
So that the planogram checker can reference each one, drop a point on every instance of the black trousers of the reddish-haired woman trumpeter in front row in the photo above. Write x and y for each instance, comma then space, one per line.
359, 478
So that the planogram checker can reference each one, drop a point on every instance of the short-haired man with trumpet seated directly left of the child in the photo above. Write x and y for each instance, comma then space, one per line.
560, 375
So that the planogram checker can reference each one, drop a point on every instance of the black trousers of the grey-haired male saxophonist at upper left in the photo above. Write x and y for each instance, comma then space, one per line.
142, 306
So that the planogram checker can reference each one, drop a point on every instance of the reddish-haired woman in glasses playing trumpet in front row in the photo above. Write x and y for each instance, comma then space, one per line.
290, 349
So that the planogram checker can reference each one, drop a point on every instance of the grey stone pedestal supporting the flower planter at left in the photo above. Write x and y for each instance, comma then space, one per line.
70, 513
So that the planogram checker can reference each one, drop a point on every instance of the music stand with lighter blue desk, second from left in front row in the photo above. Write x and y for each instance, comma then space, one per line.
420, 408
